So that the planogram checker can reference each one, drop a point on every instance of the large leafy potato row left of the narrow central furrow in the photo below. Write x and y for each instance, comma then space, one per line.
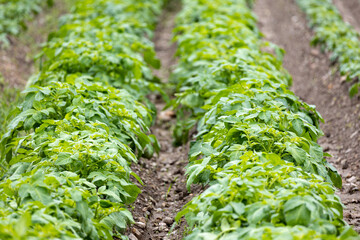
65, 159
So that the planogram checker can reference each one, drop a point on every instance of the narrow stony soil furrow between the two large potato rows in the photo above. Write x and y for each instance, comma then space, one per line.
164, 192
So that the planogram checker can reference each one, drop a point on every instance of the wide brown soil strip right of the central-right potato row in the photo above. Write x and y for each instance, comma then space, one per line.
317, 82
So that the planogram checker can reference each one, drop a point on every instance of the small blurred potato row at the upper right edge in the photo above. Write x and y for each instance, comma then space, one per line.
336, 36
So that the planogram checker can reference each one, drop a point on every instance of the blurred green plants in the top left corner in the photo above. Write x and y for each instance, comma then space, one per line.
15, 13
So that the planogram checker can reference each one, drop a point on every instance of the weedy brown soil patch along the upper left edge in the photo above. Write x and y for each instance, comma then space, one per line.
16, 61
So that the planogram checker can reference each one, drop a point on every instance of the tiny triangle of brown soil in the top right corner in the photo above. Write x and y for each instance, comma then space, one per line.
350, 11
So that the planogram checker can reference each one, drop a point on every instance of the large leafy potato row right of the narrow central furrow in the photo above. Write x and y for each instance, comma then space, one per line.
255, 145
